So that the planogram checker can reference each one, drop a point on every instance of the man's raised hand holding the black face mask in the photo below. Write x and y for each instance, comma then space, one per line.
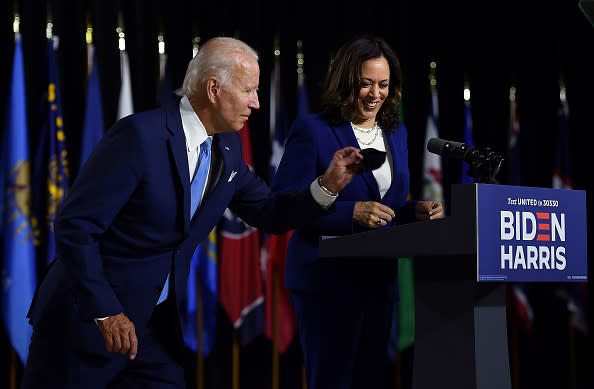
342, 169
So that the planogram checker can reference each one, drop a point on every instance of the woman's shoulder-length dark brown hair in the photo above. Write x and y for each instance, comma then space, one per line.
343, 81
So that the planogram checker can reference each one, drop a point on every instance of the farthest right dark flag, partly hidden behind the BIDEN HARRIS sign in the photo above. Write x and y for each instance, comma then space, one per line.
575, 293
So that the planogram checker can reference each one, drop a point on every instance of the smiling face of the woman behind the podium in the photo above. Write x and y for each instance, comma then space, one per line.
375, 82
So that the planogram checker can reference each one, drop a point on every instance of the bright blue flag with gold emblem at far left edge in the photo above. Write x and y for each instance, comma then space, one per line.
18, 251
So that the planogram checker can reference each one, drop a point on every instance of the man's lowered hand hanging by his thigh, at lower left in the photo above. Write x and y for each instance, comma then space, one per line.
120, 335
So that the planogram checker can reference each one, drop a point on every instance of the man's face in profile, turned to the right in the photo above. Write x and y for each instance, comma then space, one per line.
239, 97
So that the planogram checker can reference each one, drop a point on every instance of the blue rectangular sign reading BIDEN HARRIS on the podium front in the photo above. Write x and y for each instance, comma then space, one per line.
531, 234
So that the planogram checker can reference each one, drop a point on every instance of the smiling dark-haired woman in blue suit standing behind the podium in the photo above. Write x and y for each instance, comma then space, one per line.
344, 307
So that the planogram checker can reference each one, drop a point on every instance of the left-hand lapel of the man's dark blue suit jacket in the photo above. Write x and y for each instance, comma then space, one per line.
177, 147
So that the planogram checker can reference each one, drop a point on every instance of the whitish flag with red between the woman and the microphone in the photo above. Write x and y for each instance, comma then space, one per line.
432, 186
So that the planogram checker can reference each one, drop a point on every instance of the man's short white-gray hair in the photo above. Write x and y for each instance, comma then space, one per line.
217, 58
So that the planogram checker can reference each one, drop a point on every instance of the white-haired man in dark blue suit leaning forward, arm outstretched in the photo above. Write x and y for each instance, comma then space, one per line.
107, 312
